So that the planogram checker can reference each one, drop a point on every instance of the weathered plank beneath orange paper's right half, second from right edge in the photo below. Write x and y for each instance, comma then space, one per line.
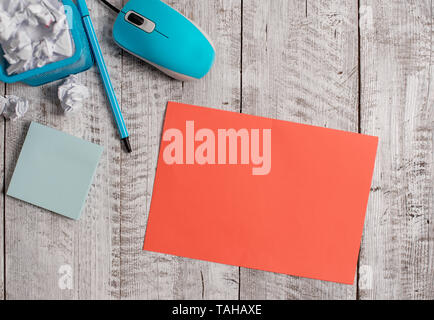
300, 63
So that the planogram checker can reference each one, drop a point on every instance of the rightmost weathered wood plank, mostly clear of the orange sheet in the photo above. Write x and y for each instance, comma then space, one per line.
397, 105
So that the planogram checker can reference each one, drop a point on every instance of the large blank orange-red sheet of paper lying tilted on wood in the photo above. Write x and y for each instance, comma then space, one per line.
260, 193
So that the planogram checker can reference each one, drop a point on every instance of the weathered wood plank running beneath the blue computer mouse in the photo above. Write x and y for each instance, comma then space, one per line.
145, 92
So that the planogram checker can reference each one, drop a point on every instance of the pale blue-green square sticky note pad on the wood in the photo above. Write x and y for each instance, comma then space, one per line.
55, 170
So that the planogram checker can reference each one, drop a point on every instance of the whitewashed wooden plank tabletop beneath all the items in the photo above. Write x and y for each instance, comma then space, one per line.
364, 67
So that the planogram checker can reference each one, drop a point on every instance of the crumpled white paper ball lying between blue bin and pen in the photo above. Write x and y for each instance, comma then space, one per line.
72, 94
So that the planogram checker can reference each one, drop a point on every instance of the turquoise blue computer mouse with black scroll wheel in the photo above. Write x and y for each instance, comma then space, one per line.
163, 37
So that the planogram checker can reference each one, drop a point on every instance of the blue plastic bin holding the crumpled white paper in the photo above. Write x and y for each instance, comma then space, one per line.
81, 60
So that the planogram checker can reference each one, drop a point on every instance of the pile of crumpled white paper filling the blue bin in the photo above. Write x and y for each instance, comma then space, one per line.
33, 33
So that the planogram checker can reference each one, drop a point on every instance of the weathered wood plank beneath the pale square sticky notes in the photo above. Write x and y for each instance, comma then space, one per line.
39, 242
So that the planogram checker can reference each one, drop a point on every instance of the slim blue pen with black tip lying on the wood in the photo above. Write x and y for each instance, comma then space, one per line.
114, 104
